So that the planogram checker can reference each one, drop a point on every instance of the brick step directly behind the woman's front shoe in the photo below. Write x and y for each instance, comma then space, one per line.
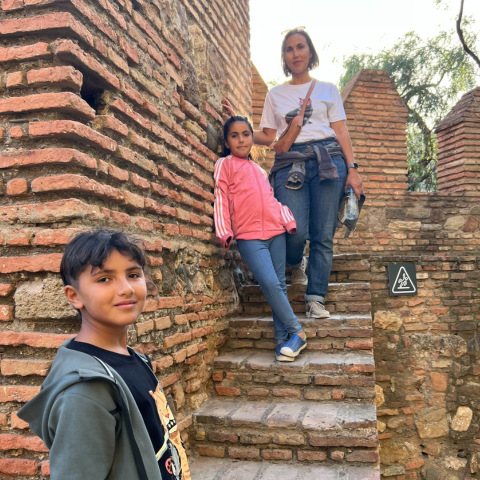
341, 298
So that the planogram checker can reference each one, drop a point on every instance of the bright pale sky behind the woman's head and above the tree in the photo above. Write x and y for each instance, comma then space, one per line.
340, 28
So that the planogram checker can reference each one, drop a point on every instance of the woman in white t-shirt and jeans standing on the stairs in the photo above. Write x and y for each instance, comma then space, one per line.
314, 205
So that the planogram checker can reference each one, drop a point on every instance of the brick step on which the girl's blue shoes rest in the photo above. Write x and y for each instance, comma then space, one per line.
313, 376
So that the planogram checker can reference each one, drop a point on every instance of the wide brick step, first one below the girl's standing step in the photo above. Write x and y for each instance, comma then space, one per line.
287, 431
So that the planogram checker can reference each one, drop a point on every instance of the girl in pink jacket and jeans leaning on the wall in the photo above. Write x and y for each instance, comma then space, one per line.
245, 209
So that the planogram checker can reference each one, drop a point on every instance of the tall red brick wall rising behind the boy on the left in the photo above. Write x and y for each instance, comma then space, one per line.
110, 116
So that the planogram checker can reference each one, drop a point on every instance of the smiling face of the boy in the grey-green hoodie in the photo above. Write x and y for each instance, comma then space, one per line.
111, 296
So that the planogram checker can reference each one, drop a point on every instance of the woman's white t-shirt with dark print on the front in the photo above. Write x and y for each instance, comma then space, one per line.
285, 101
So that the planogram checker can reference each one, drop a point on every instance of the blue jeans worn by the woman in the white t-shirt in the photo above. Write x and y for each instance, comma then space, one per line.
314, 207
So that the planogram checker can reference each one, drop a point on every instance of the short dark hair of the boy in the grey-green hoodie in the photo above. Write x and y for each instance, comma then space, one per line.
94, 247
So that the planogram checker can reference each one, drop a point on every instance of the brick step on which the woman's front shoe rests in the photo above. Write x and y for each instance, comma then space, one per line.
339, 332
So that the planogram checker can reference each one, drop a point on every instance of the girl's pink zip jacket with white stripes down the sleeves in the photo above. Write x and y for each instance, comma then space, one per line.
245, 207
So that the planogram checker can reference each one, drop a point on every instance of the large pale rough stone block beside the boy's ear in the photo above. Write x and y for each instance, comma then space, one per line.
42, 300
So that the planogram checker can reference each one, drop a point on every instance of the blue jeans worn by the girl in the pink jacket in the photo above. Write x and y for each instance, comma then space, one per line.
266, 260
